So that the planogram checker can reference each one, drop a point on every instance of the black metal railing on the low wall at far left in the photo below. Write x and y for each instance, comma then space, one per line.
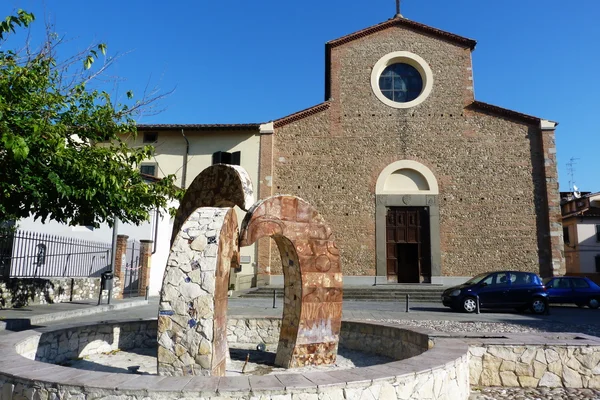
40, 255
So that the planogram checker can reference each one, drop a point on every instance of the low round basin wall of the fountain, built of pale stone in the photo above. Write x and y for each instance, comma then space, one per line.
438, 374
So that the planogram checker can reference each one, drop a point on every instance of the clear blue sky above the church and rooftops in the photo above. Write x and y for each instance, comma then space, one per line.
234, 61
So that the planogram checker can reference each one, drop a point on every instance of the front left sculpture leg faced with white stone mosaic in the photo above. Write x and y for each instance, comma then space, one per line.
192, 316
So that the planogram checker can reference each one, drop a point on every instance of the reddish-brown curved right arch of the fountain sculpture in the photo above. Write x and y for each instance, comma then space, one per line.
312, 311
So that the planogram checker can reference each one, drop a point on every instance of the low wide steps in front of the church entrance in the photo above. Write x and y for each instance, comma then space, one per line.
419, 293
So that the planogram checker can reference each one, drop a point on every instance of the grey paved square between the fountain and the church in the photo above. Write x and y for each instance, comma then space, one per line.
87, 312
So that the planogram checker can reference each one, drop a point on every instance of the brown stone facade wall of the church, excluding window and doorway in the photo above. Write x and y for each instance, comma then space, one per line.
480, 159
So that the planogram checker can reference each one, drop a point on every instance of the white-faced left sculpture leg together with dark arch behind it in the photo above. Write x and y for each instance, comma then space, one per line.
192, 317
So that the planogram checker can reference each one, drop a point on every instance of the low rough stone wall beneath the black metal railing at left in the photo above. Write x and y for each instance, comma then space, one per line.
15, 293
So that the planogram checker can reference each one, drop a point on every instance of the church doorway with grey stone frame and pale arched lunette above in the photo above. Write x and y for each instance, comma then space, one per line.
407, 218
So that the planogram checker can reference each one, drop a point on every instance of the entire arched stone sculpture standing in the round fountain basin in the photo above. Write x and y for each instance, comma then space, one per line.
192, 317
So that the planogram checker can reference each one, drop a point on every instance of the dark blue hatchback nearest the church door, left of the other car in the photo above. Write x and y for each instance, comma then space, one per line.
500, 289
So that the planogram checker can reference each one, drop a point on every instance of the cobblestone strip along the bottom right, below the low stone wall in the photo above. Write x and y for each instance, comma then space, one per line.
502, 393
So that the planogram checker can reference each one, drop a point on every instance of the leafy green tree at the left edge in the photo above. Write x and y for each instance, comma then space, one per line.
62, 152
